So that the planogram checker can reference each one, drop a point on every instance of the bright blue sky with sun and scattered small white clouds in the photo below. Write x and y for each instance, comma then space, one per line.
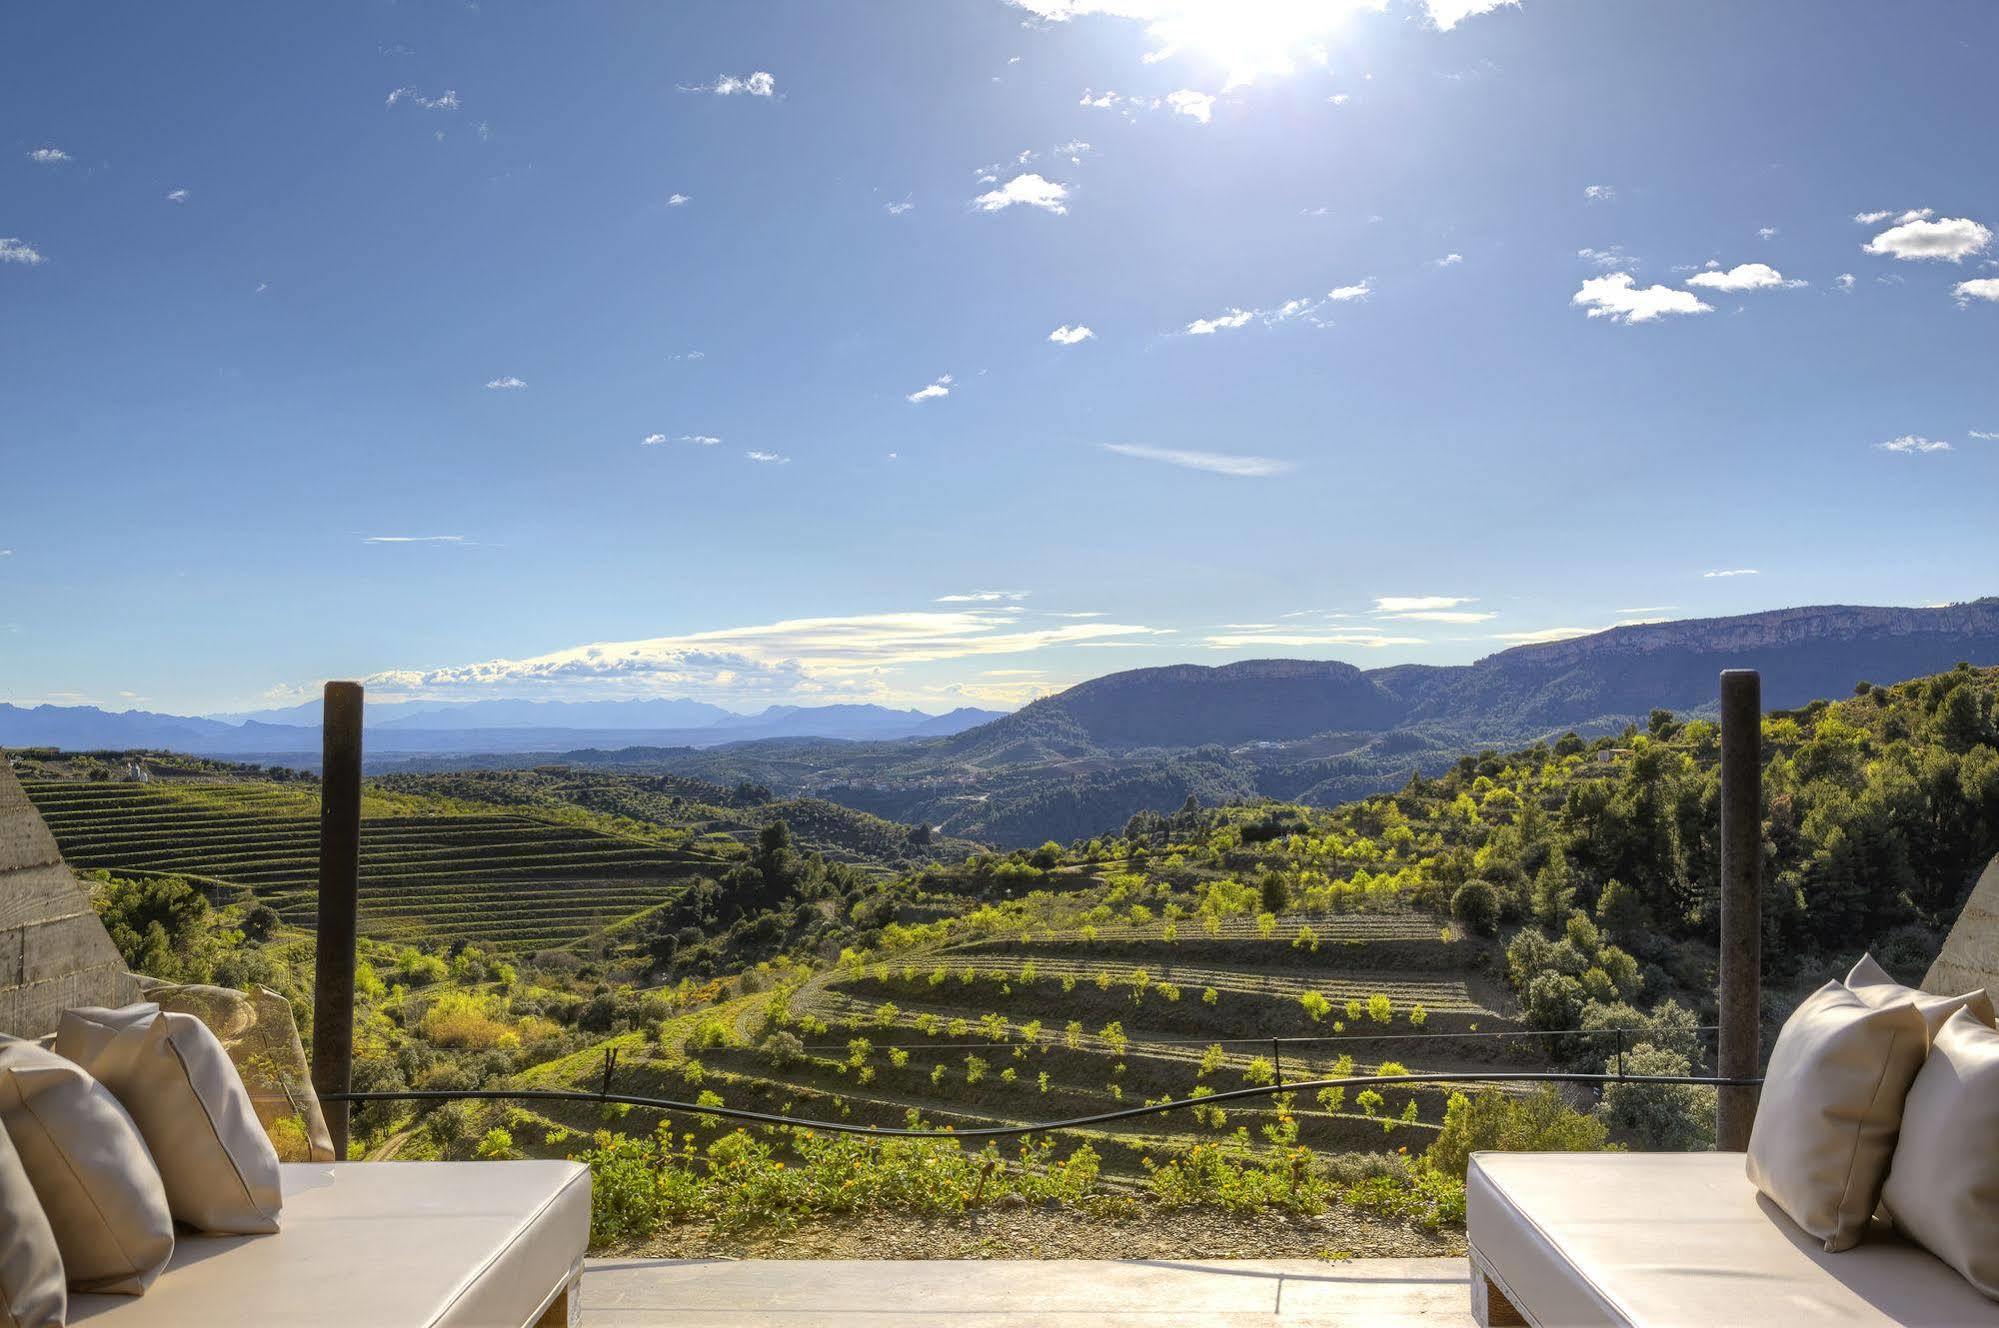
947, 353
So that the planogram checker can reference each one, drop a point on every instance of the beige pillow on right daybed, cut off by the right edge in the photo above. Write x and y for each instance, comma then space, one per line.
1944, 1183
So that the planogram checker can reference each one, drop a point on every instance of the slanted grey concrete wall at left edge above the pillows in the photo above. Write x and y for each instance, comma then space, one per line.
53, 949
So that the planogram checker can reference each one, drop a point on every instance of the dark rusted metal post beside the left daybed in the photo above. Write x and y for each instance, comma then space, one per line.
341, 869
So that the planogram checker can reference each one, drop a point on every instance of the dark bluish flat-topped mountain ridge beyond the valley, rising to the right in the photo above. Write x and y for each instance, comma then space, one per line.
1322, 733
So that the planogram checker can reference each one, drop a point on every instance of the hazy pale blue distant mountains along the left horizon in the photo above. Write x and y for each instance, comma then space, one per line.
471, 727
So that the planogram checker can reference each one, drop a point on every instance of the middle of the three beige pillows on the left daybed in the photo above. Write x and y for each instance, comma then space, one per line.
89, 1167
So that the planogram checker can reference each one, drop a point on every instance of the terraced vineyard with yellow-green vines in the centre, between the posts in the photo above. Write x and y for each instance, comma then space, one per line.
1010, 1031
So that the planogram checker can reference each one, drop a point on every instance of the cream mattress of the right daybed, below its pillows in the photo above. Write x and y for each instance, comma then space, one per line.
1684, 1239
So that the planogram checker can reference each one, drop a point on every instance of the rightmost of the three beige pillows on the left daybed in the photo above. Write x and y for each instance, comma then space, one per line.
193, 1109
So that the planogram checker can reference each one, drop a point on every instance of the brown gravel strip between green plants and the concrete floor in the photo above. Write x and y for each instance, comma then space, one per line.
1136, 1231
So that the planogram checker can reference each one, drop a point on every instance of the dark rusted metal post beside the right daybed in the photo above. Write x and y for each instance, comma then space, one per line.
1742, 905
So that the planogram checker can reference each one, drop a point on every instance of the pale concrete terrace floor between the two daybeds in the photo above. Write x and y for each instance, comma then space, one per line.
1376, 1293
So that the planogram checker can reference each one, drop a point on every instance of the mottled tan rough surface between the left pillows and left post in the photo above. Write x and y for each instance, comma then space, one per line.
259, 1033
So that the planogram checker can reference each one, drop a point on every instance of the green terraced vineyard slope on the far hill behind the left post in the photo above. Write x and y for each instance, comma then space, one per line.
507, 881
